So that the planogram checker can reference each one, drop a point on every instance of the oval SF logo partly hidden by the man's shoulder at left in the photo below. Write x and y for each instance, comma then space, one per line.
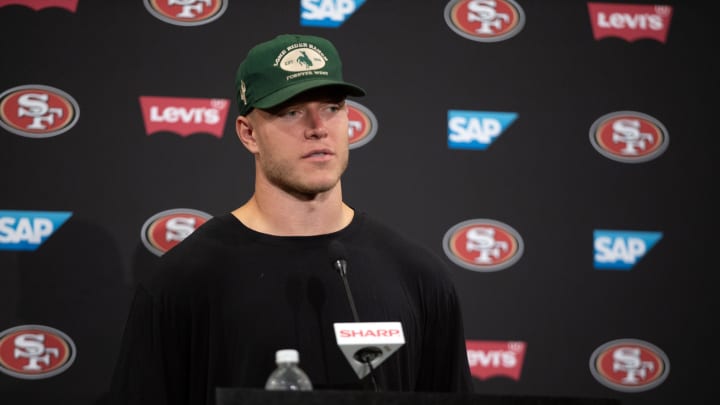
164, 230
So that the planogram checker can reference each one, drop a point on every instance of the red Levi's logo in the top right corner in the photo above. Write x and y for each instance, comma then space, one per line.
630, 21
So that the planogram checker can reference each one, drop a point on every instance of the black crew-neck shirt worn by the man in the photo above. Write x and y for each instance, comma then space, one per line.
225, 299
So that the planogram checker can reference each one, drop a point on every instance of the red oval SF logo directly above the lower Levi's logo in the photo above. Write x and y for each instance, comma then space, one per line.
483, 245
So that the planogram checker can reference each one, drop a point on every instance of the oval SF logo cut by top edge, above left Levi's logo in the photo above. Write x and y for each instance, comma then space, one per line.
186, 12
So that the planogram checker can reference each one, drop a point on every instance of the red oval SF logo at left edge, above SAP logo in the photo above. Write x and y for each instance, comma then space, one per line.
37, 111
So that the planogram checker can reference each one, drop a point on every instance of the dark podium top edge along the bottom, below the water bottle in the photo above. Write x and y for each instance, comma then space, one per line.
255, 396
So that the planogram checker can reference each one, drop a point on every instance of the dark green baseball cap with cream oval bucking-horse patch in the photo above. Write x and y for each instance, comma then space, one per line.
285, 66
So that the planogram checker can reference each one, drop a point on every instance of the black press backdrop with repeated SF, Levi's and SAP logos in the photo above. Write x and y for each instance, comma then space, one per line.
557, 154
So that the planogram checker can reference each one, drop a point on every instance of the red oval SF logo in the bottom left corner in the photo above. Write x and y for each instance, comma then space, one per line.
33, 352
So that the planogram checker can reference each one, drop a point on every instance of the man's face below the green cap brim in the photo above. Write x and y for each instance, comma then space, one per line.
301, 146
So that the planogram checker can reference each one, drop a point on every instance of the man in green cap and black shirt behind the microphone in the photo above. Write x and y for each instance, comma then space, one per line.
260, 278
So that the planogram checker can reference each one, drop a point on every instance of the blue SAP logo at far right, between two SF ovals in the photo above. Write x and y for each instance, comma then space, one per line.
621, 250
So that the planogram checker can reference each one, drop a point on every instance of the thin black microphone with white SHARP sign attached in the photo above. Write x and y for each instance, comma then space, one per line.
363, 343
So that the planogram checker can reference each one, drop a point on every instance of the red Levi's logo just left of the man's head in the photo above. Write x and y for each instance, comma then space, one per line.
184, 116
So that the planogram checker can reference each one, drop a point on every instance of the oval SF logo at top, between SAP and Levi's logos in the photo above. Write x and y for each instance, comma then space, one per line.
485, 20
